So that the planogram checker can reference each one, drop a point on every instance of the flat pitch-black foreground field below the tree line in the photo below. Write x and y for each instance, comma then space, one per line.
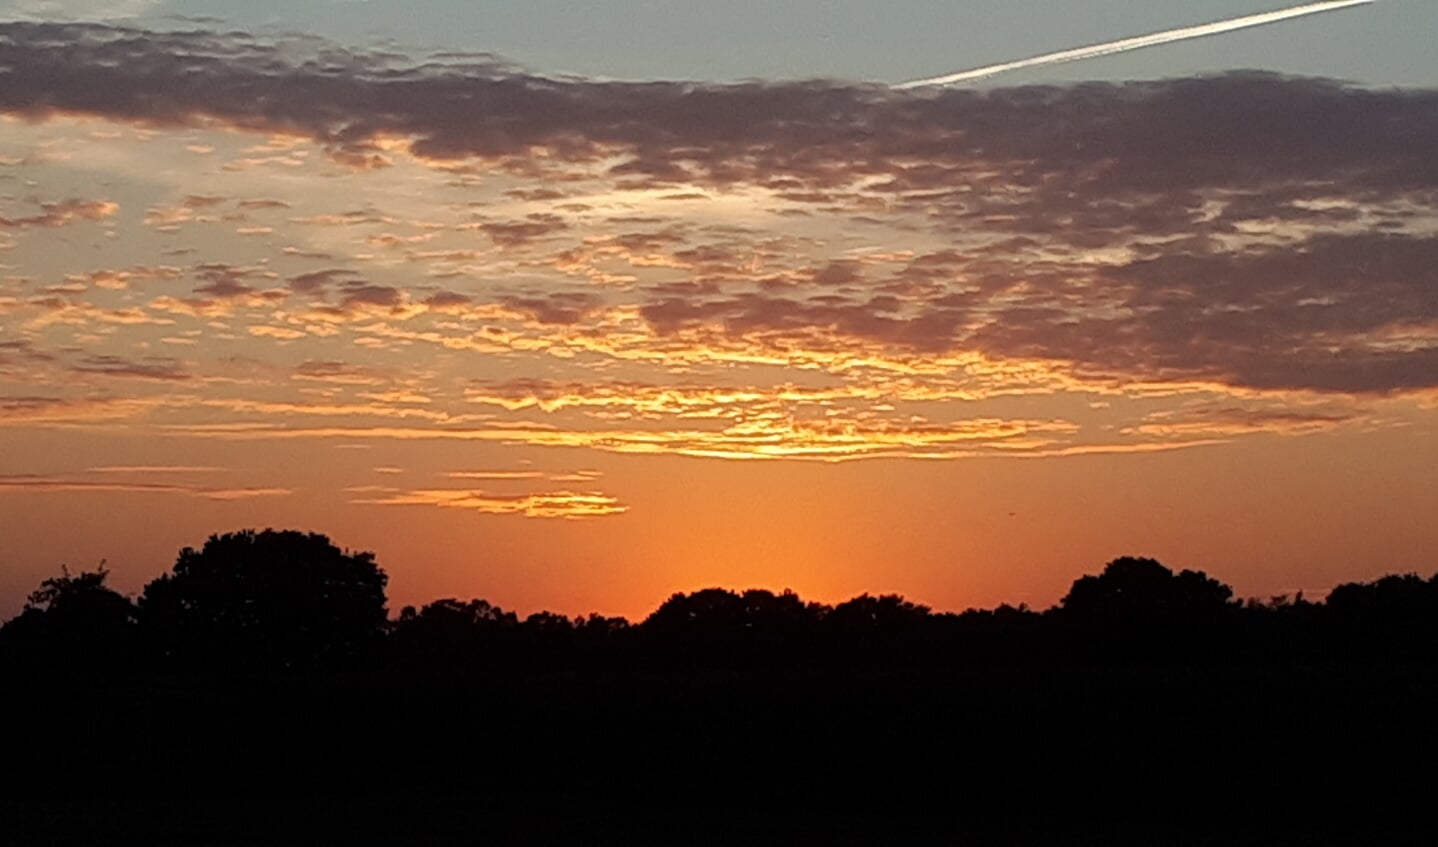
1084, 753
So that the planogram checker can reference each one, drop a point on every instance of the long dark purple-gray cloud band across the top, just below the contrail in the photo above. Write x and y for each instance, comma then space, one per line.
1243, 130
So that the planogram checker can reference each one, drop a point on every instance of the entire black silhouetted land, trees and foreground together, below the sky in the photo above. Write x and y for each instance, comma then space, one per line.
260, 695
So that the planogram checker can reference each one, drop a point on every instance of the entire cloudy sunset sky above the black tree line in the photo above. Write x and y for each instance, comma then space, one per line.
576, 308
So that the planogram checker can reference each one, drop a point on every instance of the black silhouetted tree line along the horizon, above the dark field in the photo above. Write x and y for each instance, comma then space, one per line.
291, 602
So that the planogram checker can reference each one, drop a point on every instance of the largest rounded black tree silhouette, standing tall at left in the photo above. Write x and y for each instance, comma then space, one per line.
267, 599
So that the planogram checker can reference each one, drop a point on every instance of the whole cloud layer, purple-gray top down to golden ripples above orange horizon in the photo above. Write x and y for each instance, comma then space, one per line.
221, 237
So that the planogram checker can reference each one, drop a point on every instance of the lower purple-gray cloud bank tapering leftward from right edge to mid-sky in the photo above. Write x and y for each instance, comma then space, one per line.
1351, 314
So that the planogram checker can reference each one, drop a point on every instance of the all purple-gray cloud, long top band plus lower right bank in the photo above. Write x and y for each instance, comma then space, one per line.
1249, 229
